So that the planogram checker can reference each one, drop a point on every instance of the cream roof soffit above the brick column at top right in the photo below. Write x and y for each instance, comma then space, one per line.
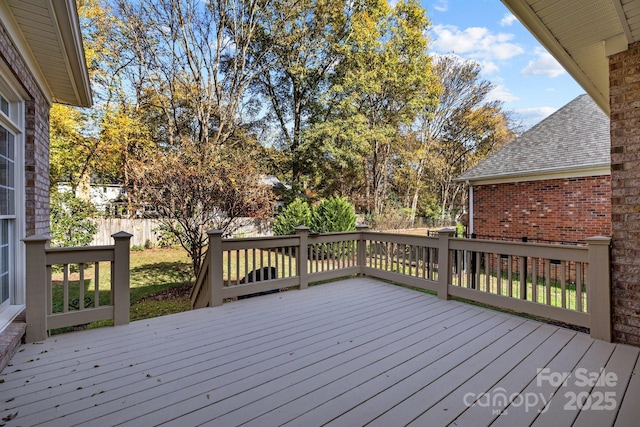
580, 34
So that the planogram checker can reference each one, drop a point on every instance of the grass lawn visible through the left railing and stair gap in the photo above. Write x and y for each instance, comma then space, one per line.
160, 282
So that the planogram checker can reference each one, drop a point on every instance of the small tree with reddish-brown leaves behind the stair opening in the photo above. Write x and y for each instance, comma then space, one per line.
193, 194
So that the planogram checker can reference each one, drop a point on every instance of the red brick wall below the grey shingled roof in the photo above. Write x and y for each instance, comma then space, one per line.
568, 210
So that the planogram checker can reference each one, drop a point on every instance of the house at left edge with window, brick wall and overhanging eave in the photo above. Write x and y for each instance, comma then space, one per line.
41, 61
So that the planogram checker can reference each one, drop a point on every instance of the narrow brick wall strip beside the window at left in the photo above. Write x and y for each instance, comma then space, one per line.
36, 140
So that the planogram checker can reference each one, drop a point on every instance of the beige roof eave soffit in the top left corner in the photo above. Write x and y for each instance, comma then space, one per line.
48, 32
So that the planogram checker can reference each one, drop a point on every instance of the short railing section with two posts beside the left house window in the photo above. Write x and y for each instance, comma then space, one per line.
64, 285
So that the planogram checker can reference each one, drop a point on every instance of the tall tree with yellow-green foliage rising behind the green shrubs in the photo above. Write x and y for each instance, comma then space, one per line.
383, 81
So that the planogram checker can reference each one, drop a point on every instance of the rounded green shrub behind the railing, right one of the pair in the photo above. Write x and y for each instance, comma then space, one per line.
333, 215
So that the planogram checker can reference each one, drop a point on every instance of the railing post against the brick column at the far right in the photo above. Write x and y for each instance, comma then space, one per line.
599, 287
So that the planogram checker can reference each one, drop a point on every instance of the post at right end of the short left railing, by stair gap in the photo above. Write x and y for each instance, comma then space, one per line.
121, 278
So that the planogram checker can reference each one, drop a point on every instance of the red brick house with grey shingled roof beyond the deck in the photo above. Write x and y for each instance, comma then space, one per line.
551, 184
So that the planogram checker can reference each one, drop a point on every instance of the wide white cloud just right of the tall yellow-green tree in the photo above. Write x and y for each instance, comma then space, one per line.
477, 43
